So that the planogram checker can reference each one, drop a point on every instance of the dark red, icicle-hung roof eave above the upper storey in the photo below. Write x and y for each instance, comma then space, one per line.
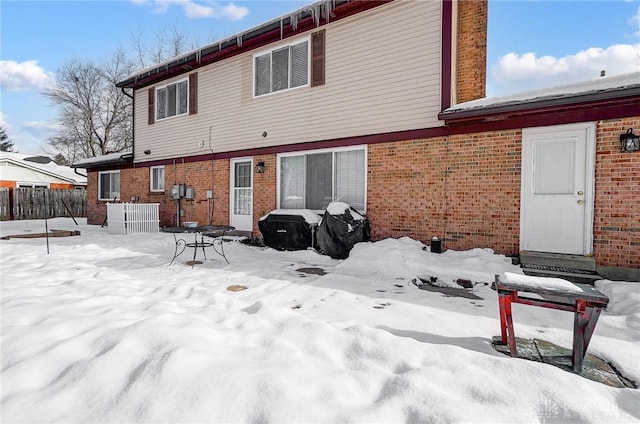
309, 17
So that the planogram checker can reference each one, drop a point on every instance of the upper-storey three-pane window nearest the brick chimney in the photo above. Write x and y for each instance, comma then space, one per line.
281, 69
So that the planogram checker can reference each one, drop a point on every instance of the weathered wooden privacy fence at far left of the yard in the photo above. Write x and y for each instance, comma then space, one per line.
39, 203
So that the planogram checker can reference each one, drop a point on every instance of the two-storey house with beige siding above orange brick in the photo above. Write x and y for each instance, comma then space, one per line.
371, 103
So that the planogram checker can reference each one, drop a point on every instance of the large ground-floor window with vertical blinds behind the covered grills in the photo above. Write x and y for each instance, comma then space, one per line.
314, 179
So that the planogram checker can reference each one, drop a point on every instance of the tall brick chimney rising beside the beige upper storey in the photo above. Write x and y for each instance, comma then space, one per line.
472, 50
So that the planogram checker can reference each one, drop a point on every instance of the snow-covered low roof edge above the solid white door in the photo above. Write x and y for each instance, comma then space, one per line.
602, 88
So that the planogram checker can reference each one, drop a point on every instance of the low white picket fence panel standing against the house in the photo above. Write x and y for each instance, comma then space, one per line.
129, 218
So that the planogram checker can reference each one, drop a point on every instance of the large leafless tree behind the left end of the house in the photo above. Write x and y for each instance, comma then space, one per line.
95, 116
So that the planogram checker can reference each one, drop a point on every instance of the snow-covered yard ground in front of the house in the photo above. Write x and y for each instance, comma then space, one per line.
102, 330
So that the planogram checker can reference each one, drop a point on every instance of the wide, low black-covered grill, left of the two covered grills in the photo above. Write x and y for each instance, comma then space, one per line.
286, 232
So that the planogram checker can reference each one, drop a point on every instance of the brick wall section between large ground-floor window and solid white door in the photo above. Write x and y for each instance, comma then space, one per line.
464, 189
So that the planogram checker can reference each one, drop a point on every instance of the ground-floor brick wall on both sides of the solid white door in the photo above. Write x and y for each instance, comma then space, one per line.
478, 203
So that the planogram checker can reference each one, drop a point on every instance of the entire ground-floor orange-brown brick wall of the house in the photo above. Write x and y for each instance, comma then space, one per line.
464, 189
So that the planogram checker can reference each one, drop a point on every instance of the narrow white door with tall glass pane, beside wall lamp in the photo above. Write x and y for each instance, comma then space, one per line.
241, 194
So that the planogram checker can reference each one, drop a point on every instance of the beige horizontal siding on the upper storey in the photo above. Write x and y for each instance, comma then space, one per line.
382, 75
